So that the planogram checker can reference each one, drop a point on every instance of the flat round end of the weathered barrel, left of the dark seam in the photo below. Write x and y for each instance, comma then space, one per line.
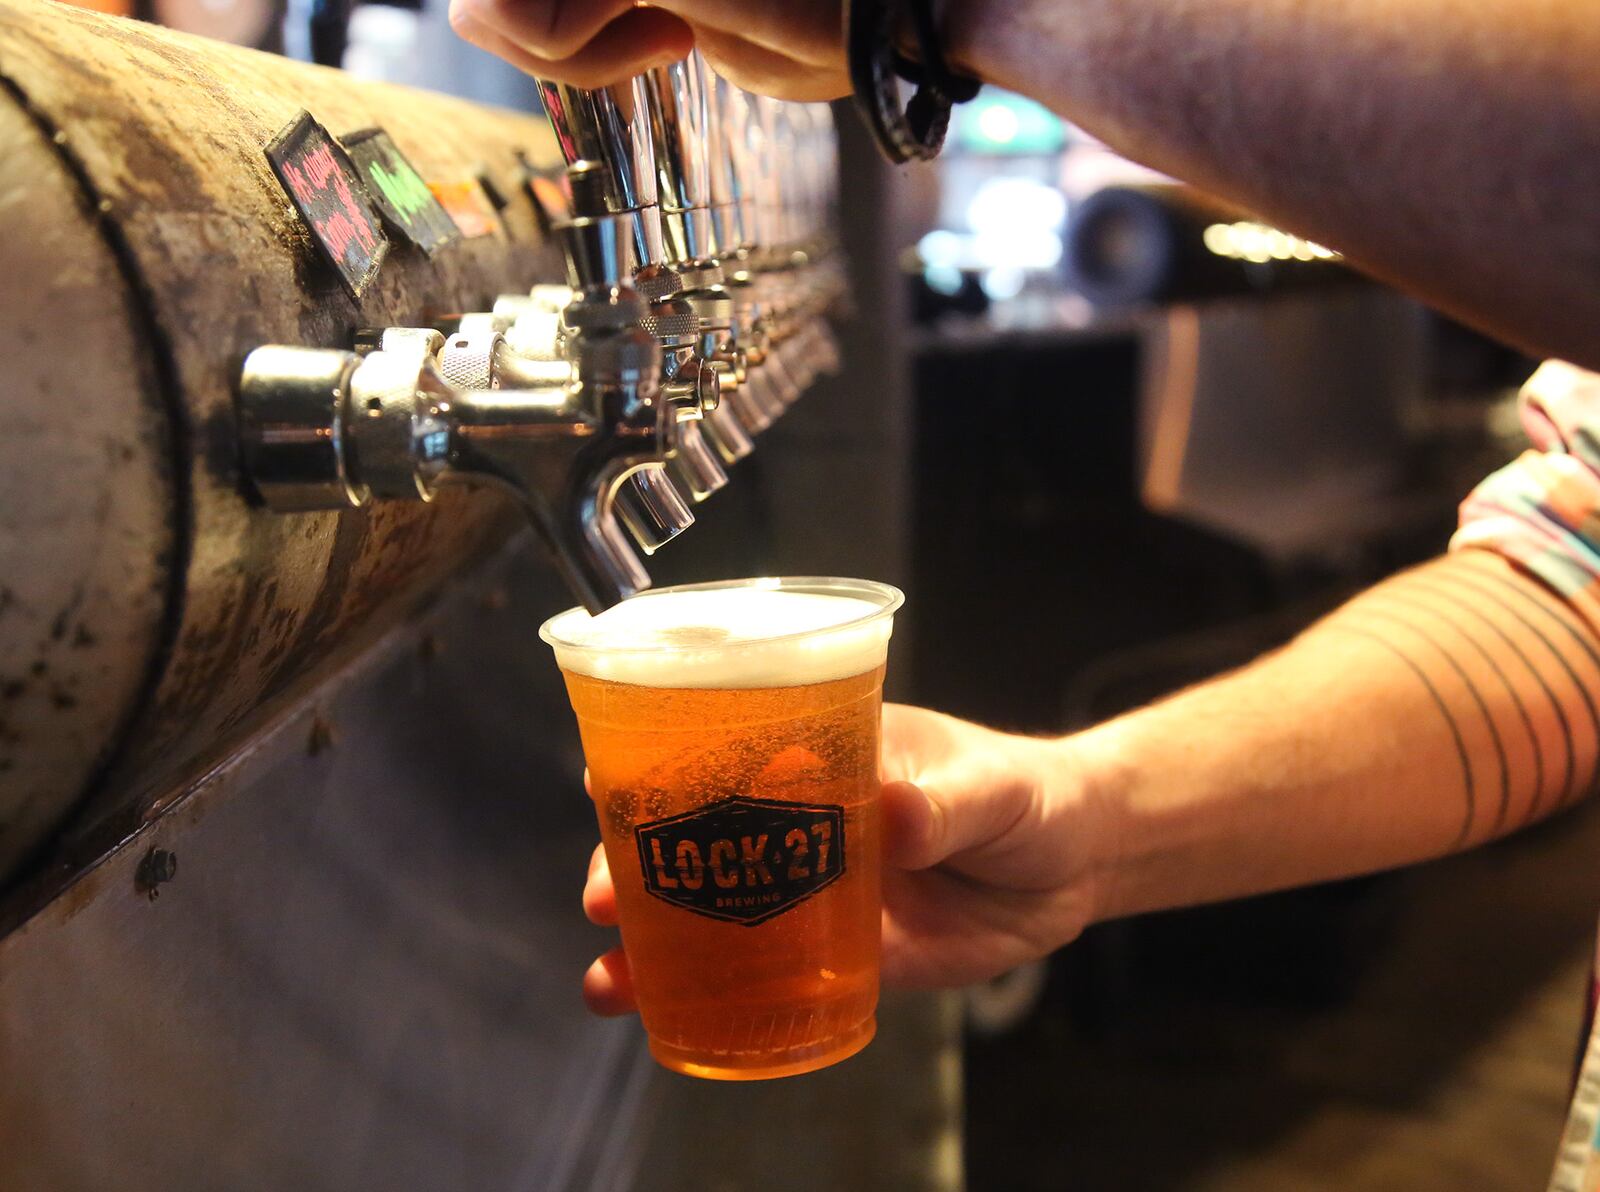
86, 498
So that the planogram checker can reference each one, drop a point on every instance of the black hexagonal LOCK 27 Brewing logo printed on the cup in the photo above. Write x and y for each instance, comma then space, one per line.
743, 860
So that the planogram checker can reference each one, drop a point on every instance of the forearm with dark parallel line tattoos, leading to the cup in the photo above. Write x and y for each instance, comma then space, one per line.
1441, 710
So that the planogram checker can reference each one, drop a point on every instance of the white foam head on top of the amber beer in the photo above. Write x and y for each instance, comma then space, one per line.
737, 638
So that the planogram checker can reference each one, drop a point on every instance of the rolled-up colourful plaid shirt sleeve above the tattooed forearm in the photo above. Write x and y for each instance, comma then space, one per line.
1543, 510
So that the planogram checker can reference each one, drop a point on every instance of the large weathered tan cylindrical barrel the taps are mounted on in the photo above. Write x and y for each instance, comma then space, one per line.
169, 238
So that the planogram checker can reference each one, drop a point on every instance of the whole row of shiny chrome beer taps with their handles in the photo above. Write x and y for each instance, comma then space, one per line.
702, 265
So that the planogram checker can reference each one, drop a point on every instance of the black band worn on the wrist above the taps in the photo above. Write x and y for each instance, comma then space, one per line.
876, 70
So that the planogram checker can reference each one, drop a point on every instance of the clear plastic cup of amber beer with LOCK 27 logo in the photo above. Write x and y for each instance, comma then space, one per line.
732, 735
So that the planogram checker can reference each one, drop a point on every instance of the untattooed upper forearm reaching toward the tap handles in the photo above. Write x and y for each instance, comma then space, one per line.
1449, 146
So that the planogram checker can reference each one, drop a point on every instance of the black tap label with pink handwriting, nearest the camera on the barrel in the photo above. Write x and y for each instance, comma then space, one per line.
330, 198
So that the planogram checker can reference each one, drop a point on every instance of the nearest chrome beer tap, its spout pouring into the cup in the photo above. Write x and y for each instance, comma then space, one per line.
580, 439
